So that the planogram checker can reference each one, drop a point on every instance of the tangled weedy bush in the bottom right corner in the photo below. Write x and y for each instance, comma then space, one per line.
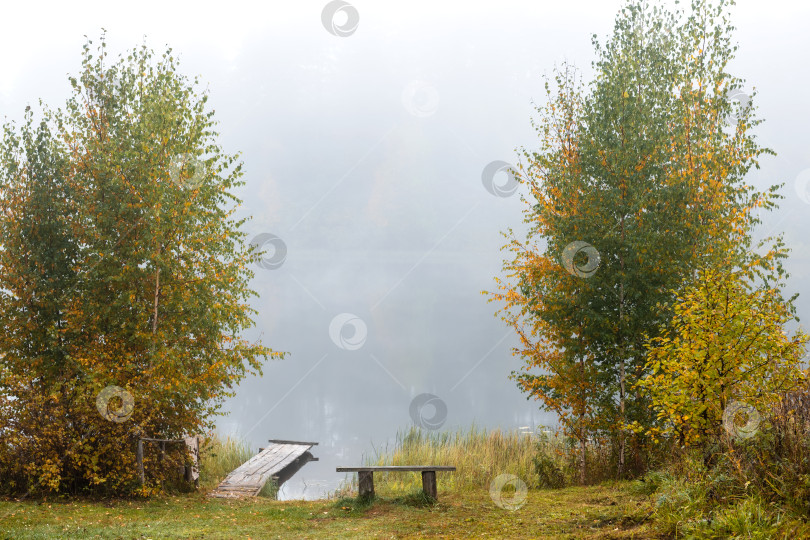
754, 488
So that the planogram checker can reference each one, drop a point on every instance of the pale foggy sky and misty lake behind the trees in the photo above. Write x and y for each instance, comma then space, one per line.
363, 154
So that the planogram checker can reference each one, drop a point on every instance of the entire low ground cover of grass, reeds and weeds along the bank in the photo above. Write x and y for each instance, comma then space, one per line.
682, 499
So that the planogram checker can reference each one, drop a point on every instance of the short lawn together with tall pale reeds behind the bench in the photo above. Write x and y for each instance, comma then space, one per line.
465, 508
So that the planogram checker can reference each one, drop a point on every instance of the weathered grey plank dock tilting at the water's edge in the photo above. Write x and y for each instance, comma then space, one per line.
278, 462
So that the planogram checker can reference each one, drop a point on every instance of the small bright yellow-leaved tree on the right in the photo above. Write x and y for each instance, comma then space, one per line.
726, 343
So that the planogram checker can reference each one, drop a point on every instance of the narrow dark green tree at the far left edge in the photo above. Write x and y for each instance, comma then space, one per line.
37, 260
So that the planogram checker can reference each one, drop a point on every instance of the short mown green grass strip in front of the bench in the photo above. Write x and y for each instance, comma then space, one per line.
606, 511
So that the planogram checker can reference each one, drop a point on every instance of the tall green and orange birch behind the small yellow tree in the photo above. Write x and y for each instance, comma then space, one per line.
637, 182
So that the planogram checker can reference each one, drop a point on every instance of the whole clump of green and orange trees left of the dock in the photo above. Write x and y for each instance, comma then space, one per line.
124, 279
